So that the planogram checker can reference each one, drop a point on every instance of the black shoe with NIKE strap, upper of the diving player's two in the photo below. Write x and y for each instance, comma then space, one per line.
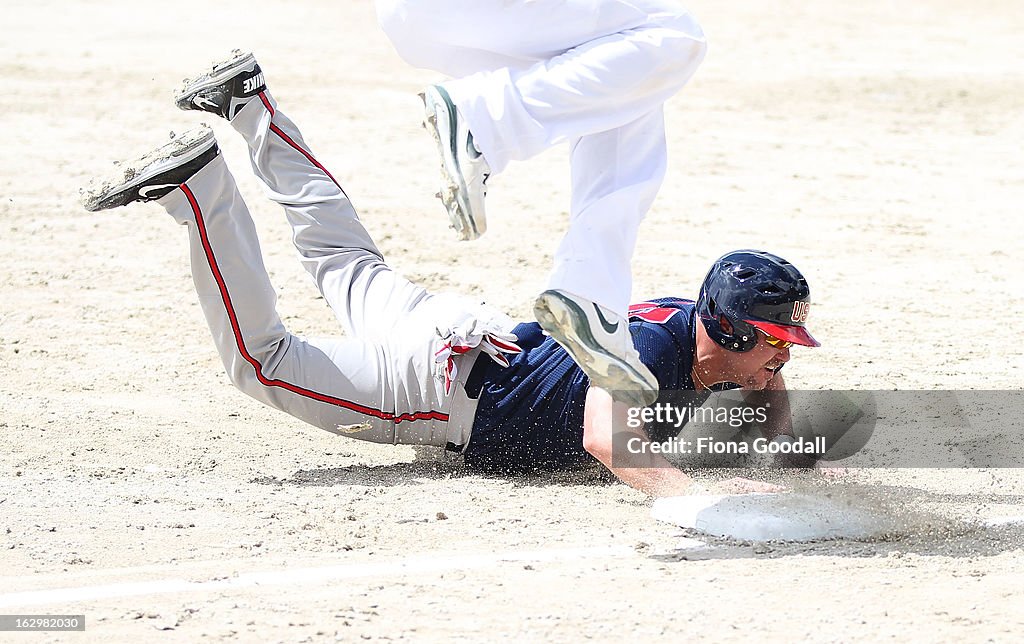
225, 90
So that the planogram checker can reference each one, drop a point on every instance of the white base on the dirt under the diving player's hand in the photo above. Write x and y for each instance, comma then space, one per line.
761, 518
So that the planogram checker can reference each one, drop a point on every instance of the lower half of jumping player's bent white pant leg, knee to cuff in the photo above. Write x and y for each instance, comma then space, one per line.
517, 113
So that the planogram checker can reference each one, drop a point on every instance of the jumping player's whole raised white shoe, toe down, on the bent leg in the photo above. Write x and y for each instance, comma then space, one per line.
464, 171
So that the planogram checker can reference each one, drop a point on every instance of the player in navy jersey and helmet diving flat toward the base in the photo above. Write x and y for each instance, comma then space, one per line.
420, 368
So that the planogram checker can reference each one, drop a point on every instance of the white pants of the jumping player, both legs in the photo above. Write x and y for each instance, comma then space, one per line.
533, 74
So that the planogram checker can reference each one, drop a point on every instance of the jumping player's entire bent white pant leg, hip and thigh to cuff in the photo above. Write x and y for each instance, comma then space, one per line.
538, 74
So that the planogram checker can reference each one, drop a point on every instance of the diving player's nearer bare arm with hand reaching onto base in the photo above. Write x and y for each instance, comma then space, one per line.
642, 469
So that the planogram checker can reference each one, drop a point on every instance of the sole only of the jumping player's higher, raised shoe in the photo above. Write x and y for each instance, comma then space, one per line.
455, 194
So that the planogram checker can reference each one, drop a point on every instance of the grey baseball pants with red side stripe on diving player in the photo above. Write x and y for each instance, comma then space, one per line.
377, 385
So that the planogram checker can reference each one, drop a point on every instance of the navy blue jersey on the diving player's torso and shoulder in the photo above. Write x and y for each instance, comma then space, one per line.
530, 415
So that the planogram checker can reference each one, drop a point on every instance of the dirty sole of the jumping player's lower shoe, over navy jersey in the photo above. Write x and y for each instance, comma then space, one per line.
567, 323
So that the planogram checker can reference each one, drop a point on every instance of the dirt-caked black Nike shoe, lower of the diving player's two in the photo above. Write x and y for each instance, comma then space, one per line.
157, 174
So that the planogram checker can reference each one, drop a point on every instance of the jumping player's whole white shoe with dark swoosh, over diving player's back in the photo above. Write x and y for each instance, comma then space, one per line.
601, 344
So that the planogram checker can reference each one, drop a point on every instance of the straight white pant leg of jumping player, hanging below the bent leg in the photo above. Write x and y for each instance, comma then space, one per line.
610, 201
